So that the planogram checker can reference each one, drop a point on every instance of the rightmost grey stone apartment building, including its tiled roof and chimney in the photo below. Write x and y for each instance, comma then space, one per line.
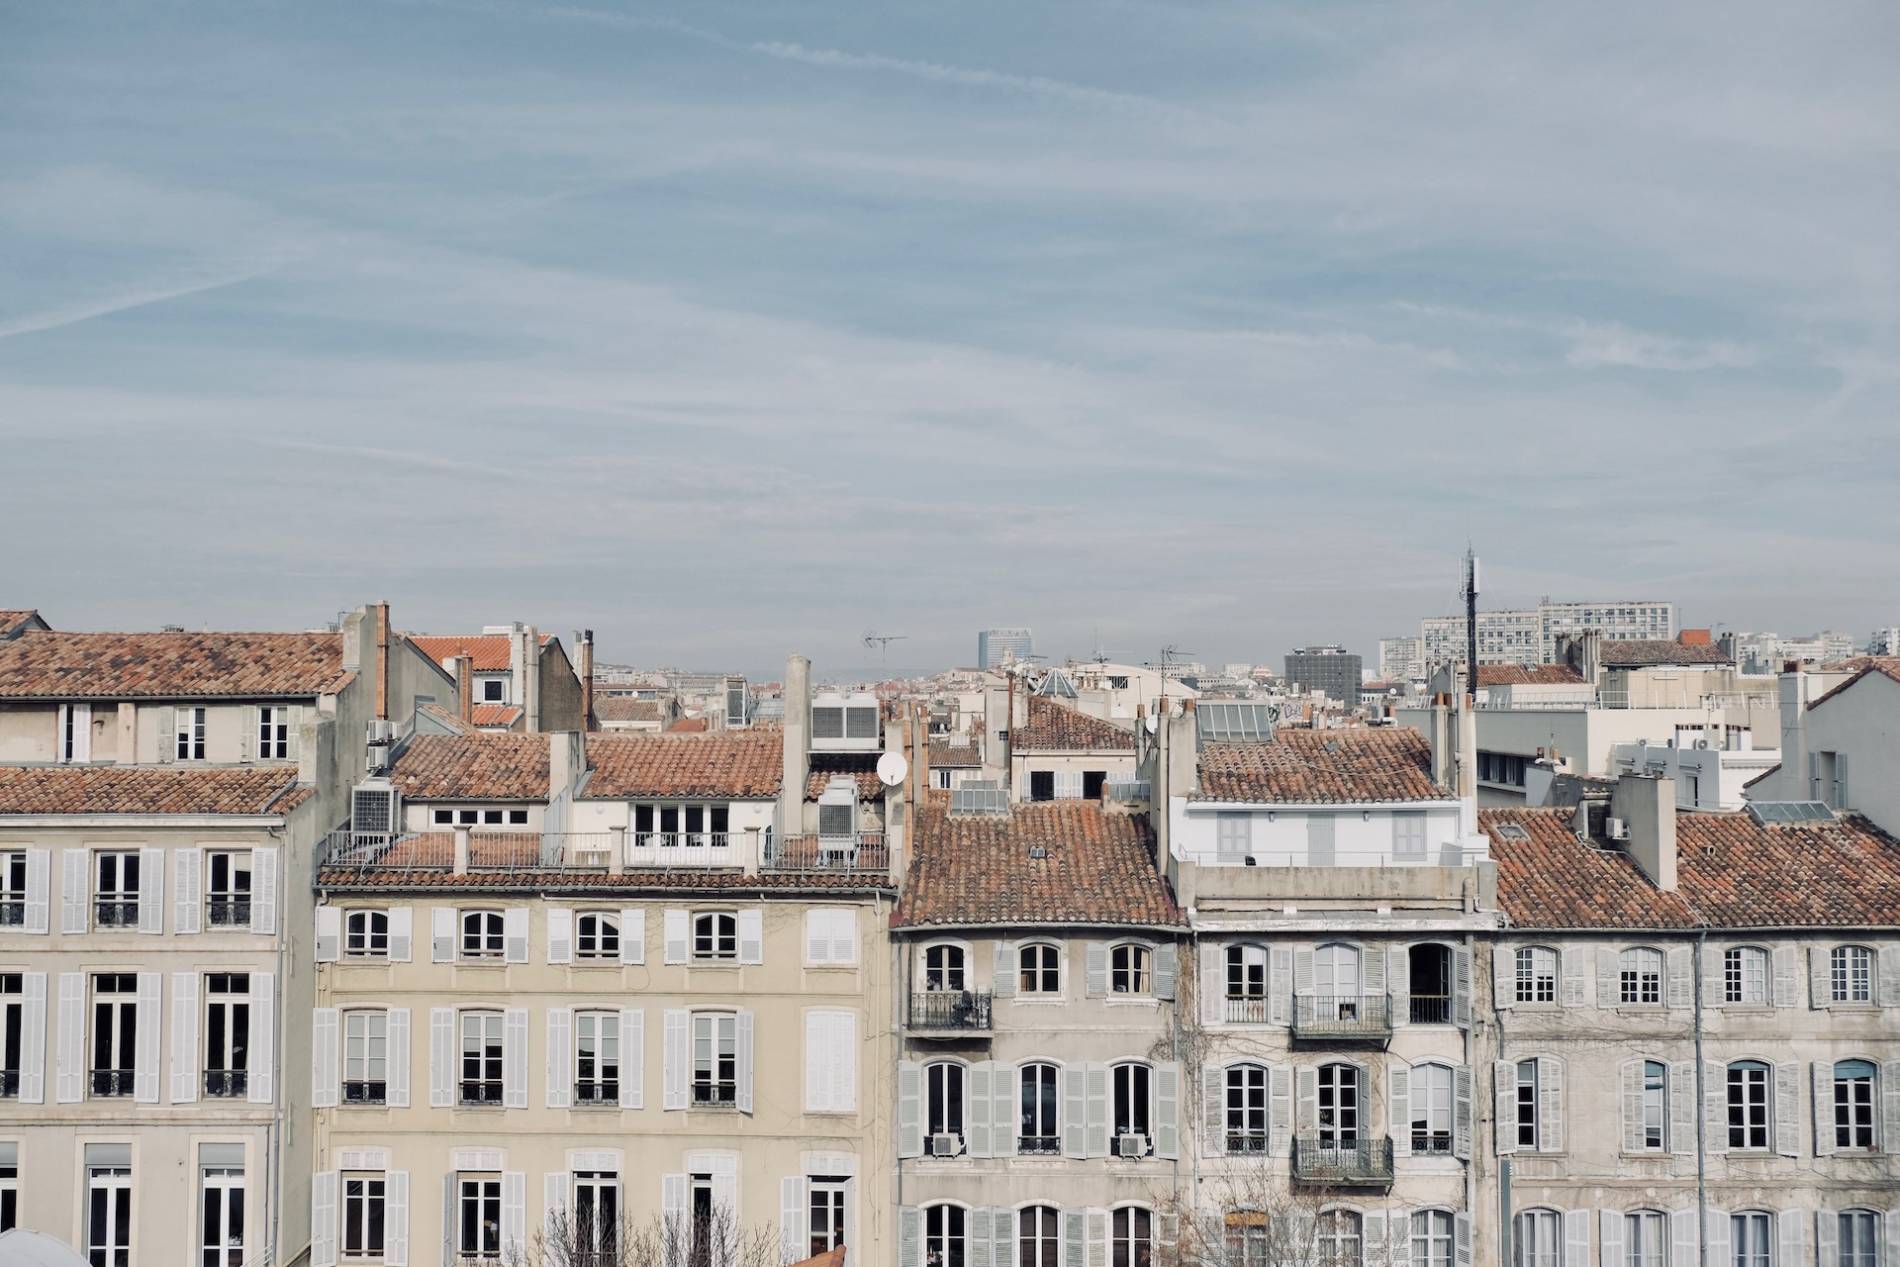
1698, 1036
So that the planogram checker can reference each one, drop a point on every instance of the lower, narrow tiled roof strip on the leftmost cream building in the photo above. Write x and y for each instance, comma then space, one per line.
136, 789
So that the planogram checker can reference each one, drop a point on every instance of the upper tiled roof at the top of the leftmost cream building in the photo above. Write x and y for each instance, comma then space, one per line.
170, 666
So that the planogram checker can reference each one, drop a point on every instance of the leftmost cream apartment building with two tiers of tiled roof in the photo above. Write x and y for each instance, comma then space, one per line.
161, 804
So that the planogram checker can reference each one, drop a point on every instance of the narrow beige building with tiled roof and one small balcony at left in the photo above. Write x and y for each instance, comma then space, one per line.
1040, 1089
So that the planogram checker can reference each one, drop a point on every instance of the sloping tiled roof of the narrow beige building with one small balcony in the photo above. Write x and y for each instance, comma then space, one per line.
978, 871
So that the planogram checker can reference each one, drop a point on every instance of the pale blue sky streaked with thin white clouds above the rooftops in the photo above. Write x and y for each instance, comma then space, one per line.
744, 330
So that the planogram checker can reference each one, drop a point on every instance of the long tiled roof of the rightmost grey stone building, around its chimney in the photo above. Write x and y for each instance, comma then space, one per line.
1732, 873
